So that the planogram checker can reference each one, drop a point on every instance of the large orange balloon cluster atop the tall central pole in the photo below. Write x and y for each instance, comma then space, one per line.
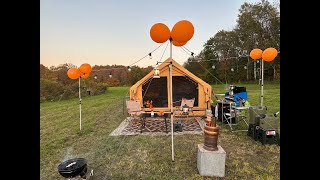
180, 34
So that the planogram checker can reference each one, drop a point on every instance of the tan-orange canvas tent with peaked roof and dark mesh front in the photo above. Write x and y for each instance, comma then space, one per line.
184, 85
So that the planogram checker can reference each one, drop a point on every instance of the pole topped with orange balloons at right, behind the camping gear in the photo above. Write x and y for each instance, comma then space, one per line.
267, 55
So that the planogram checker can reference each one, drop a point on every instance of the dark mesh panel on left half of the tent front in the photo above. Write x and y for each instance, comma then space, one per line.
156, 90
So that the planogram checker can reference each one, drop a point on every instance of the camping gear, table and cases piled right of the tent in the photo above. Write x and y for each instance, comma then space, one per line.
262, 126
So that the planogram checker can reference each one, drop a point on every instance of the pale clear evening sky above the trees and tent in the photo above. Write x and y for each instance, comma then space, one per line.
108, 32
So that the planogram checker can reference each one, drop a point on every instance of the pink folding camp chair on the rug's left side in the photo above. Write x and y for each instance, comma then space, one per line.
134, 110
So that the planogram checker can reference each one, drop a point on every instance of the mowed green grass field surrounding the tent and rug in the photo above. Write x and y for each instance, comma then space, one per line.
146, 157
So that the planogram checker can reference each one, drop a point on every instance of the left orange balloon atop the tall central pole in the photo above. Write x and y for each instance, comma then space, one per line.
159, 33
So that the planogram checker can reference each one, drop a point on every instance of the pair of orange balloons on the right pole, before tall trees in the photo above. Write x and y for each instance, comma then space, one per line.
267, 55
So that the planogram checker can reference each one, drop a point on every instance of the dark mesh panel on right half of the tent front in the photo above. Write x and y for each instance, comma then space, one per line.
184, 87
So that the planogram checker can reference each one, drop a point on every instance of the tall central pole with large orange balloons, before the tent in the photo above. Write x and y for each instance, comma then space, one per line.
180, 34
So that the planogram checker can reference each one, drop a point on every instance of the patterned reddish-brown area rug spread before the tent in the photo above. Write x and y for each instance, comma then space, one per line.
157, 126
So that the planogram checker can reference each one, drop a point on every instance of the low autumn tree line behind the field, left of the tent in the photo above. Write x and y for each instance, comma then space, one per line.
56, 85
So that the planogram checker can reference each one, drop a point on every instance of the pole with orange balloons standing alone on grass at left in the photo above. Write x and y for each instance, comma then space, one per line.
83, 72
